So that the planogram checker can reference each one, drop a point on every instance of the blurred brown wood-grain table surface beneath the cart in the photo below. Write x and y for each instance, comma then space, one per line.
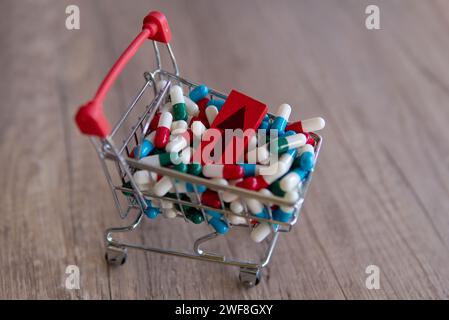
379, 195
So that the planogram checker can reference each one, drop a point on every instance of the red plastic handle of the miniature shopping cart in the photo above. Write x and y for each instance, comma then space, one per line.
90, 117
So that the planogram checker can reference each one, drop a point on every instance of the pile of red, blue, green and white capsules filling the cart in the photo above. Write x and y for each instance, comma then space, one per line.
169, 144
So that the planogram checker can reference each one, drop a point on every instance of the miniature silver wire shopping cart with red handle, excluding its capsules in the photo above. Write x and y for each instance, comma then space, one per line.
119, 167
